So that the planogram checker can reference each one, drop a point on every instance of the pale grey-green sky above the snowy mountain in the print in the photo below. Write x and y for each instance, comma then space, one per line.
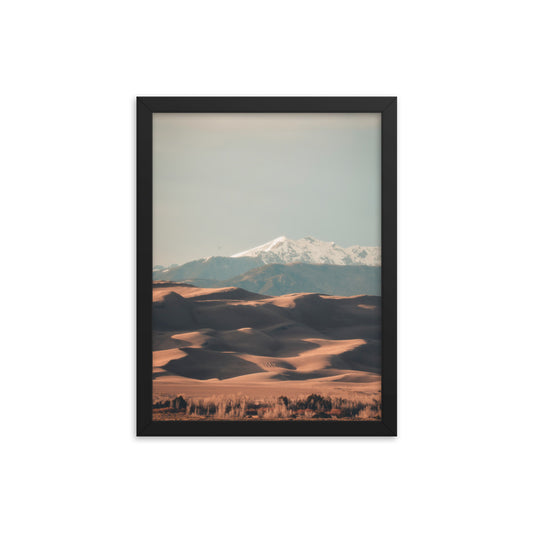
226, 182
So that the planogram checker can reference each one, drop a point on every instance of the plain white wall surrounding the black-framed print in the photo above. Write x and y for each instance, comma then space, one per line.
461, 70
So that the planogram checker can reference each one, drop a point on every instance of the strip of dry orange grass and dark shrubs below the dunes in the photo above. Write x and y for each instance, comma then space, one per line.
233, 407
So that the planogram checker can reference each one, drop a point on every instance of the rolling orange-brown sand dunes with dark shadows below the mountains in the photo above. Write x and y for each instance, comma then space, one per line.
231, 341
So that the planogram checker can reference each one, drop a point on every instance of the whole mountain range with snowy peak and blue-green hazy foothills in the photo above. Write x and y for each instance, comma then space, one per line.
285, 266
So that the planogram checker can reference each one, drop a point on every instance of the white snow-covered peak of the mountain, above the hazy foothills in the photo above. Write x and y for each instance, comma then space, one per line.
309, 250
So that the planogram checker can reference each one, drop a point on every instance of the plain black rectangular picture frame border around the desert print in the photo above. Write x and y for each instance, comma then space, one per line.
387, 106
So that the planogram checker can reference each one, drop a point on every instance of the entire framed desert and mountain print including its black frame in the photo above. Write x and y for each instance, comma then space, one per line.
266, 266
